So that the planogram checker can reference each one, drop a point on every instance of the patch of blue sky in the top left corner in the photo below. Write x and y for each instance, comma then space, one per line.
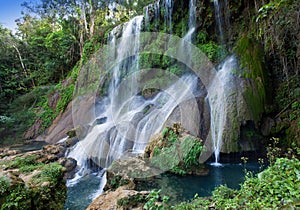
10, 10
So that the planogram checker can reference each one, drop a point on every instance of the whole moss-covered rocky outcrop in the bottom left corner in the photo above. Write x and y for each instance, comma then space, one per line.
34, 180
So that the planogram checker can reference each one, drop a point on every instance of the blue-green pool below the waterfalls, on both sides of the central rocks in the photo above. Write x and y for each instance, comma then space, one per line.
178, 188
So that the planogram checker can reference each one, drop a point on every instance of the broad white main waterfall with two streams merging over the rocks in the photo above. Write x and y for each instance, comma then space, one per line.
130, 119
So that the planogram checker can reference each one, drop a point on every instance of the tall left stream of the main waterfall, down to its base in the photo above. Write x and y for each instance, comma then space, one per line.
104, 143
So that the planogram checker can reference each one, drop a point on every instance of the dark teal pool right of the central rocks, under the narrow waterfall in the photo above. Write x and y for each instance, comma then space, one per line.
184, 188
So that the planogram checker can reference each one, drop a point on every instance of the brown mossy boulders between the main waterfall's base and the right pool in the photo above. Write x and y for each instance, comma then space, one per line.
172, 151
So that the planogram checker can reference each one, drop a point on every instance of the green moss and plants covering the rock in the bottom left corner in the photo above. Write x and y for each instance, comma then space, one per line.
47, 189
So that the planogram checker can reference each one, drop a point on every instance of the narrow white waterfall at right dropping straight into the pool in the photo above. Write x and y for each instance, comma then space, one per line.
219, 92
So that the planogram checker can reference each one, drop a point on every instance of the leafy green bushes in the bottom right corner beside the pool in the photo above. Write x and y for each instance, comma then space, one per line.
277, 187
